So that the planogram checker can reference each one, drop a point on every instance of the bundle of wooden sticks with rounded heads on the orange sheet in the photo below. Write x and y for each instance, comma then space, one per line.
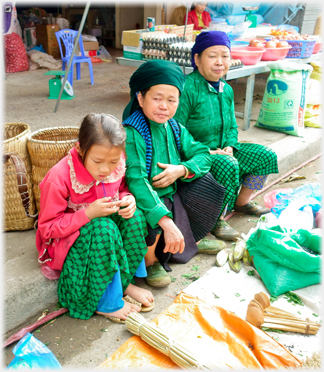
260, 313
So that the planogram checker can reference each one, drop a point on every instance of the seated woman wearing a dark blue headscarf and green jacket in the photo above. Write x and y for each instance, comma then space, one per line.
206, 109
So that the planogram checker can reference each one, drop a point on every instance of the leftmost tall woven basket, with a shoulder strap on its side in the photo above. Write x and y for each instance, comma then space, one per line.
18, 199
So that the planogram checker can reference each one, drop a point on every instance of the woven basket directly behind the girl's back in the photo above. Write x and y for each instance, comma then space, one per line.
46, 148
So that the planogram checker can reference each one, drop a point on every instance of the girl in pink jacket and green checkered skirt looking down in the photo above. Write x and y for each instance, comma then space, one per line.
89, 230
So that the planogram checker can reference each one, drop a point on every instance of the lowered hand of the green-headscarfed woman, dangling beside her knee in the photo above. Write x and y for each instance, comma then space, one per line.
174, 240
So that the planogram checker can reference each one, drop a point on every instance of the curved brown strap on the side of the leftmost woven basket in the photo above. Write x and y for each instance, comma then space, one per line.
21, 180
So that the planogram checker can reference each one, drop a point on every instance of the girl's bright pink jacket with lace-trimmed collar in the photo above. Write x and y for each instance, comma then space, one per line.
66, 190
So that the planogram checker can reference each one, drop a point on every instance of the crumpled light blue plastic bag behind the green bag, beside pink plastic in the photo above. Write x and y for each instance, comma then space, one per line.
309, 194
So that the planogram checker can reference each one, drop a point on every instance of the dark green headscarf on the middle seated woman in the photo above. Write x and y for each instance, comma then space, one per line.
152, 73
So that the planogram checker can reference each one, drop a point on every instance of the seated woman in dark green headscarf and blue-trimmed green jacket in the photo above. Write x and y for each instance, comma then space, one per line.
167, 172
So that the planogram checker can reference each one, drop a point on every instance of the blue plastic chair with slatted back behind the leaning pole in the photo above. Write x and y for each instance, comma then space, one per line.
67, 37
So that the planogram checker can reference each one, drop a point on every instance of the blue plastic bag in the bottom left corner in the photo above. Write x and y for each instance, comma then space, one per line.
30, 353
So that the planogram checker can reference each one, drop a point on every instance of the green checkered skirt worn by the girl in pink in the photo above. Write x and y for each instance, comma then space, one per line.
104, 246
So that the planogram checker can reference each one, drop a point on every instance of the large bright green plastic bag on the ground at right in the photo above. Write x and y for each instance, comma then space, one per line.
285, 260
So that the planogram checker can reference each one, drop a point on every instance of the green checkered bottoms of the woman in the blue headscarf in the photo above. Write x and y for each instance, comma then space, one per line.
250, 159
